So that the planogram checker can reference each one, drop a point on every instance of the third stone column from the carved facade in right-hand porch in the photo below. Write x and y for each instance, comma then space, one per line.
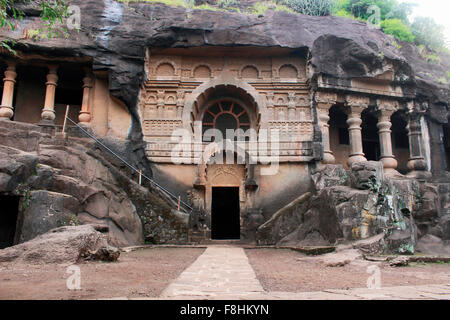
386, 110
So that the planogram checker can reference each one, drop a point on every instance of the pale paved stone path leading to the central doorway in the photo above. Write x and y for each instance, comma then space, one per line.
224, 273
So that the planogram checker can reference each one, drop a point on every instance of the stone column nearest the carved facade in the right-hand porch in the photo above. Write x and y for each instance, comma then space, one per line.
324, 103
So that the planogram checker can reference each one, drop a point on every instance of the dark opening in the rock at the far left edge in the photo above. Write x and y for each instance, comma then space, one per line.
8, 220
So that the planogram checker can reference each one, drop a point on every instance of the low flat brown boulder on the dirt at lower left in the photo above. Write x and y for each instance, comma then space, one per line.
62, 245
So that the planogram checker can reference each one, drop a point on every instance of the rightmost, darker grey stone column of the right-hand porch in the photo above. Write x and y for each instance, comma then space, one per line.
417, 163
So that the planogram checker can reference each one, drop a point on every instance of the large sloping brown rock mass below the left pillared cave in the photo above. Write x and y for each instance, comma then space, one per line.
68, 183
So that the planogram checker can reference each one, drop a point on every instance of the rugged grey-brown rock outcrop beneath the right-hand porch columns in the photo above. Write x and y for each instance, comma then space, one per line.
359, 205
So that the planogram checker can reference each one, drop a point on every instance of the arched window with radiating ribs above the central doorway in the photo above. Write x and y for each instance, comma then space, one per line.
225, 114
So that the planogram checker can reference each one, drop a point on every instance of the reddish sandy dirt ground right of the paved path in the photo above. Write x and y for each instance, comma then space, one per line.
289, 271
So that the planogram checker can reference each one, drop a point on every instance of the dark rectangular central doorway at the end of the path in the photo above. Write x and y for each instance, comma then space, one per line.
225, 214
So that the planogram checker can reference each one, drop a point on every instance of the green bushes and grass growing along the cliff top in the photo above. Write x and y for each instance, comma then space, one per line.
391, 16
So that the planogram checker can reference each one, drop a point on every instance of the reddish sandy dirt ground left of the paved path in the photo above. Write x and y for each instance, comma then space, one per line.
138, 274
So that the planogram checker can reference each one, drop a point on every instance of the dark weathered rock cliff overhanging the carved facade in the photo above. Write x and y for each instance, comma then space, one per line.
117, 36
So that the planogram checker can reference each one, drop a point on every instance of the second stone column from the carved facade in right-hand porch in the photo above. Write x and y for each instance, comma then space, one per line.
356, 105
